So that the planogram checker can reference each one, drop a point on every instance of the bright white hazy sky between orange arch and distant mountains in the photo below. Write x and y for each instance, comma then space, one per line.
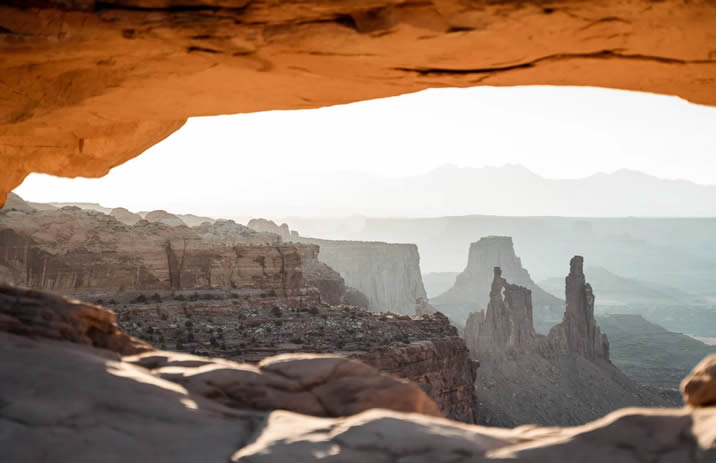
251, 164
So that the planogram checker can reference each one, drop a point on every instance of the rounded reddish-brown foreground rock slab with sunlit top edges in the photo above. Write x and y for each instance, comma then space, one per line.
318, 385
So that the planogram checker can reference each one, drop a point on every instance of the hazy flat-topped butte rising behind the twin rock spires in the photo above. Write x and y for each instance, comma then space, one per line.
472, 287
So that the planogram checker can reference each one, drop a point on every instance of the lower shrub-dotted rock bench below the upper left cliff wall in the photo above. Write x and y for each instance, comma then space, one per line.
426, 350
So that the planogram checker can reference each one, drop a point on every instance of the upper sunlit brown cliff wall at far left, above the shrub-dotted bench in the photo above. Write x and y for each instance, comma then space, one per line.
81, 252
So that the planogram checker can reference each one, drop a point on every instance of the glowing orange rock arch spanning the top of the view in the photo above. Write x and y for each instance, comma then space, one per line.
125, 74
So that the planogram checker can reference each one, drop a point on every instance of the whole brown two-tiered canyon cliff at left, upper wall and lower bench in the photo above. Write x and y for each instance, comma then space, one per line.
249, 294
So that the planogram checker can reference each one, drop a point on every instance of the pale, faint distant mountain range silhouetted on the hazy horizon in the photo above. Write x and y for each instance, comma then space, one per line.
510, 190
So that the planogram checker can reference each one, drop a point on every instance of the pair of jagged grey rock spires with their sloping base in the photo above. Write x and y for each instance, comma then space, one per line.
566, 376
